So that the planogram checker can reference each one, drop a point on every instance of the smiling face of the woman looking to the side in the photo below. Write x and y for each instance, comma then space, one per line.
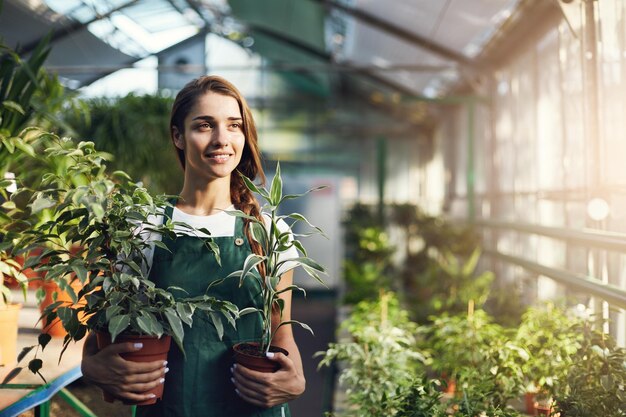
213, 140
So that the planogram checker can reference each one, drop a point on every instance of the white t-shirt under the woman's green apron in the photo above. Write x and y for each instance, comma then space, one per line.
220, 224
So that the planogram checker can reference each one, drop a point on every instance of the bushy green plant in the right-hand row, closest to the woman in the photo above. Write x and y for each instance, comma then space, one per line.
380, 364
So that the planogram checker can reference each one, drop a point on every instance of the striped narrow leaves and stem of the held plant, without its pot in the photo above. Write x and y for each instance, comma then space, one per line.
273, 243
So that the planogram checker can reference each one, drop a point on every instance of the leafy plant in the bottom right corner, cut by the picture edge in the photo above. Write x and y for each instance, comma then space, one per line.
596, 383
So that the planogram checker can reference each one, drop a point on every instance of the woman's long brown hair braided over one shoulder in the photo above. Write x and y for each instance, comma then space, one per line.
250, 164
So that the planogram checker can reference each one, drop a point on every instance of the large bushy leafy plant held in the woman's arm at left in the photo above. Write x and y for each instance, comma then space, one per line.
107, 216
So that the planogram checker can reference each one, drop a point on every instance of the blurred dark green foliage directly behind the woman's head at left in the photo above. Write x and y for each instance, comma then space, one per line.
136, 130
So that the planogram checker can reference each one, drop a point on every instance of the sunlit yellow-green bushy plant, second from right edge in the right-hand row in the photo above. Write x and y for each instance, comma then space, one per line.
549, 333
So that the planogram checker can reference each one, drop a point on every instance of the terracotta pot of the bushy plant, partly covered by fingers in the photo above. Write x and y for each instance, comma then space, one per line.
153, 350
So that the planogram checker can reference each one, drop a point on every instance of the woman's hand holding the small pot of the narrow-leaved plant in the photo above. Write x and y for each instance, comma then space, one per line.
269, 389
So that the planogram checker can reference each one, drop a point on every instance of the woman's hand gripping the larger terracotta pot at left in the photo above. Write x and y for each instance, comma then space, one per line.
121, 378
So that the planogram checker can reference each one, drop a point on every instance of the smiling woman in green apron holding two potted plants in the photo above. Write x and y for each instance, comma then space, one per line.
214, 134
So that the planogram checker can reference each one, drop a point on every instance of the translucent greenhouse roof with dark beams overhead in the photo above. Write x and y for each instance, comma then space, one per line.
409, 46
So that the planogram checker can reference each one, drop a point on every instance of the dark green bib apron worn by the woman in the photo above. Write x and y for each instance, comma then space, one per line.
199, 385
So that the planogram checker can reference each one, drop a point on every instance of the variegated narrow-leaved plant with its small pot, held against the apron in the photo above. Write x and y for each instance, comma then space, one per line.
273, 243
